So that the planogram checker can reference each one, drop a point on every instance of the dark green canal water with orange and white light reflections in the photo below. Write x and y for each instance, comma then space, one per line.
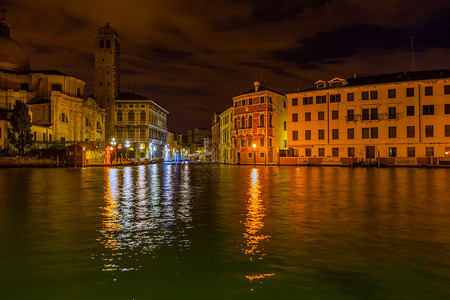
224, 232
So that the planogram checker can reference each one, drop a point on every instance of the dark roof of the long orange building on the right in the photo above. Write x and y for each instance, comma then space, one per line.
388, 78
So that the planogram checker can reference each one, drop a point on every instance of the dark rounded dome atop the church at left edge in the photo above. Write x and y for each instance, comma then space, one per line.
13, 56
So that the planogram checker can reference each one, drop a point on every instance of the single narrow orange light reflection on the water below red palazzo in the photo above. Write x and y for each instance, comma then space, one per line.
254, 237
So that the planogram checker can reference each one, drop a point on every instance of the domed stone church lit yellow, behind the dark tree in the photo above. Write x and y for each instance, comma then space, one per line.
60, 111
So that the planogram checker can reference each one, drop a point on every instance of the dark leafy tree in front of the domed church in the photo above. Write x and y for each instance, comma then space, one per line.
20, 132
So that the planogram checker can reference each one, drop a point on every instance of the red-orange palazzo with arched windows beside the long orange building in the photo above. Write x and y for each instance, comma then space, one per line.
259, 125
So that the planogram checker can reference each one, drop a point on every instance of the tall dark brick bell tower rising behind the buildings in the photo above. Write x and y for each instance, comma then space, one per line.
107, 73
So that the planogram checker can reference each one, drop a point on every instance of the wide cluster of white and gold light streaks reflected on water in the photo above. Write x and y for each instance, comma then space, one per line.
145, 208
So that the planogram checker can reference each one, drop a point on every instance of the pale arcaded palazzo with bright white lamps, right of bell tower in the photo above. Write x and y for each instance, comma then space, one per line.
140, 127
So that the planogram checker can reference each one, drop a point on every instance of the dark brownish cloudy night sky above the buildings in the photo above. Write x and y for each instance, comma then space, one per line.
192, 57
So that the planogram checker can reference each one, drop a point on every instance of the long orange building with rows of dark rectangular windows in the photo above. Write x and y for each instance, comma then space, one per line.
403, 118
